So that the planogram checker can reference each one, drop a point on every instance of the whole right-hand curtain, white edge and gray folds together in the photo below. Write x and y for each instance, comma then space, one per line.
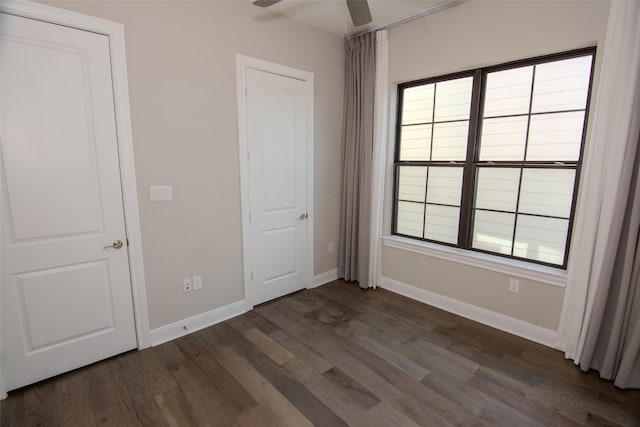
600, 325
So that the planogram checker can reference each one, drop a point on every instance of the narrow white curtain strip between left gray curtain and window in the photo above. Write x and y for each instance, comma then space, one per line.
381, 112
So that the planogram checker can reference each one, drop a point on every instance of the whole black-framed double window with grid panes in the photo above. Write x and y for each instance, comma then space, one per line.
489, 160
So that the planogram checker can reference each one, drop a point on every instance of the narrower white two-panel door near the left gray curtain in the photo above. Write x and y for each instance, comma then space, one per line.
277, 132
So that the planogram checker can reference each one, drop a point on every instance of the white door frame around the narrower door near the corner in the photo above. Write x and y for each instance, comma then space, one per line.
243, 63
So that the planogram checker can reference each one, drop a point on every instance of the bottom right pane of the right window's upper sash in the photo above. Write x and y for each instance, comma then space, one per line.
555, 137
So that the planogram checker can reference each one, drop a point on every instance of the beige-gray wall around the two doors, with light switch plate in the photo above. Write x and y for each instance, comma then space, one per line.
181, 68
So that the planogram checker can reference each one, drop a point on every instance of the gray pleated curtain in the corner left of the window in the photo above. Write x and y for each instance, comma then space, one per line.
357, 152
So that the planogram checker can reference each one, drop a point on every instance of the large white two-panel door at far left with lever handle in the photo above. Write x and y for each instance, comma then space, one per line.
65, 290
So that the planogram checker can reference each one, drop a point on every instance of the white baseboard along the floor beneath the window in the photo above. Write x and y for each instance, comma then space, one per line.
500, 321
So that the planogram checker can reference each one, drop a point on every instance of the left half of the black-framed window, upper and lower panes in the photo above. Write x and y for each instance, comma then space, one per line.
433, 138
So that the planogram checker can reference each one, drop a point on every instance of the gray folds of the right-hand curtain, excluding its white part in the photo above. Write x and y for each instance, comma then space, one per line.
612, 333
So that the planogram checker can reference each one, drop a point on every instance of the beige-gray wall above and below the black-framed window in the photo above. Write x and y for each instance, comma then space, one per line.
475, 34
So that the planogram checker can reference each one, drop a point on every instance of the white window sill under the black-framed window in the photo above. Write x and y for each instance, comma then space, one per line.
522, 269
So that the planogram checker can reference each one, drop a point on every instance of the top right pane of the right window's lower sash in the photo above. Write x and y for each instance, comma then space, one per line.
547, 192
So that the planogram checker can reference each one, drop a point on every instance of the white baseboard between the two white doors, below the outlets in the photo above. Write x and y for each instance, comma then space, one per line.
195, 323
